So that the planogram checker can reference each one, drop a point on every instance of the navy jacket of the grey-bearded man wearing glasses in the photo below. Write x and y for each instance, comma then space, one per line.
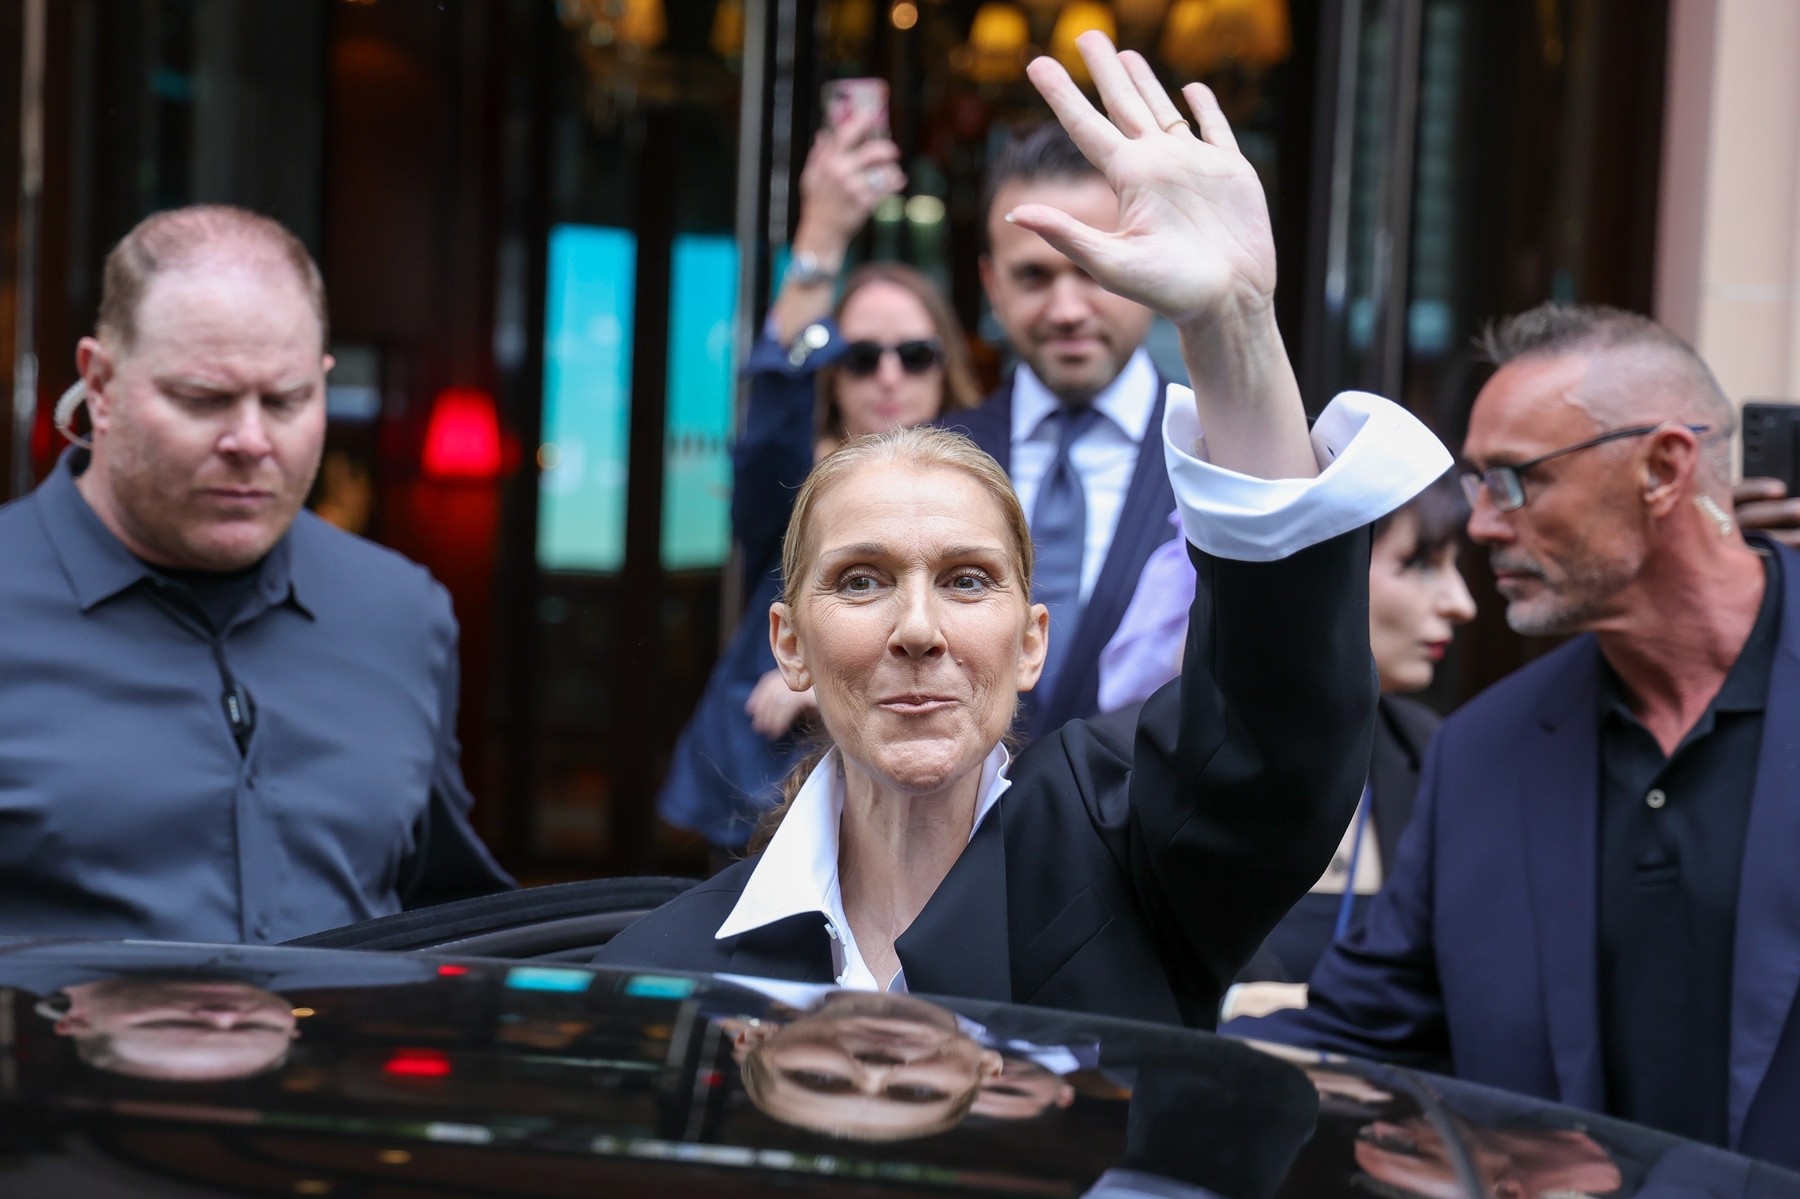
1479, 957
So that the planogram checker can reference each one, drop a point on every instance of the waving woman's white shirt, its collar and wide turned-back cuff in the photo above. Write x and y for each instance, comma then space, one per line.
1372, 456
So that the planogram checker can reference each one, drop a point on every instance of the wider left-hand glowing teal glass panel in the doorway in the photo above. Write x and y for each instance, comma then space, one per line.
588, 399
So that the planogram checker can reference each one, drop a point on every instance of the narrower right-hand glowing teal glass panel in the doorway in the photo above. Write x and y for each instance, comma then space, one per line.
697, 437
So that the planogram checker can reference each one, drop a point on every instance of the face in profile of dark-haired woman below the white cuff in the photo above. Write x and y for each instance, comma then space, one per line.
1414, 608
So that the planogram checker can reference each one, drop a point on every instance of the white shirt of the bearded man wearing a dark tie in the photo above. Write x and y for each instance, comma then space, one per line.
1106, 458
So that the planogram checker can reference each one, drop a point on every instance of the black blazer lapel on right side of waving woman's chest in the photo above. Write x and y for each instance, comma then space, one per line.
958, 944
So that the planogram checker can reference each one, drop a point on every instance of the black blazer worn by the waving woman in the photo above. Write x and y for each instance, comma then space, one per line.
1129, 879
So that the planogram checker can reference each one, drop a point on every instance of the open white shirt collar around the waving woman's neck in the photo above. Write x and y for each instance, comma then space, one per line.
798, 872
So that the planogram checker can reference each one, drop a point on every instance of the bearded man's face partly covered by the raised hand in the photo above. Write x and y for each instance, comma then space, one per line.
1072, 332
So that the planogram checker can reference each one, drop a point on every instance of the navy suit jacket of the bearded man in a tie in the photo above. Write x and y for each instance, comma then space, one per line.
1144, 527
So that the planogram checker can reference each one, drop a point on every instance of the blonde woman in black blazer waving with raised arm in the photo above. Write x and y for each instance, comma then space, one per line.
1093, 872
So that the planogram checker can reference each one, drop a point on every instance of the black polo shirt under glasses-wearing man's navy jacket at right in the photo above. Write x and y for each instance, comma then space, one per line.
1671, 856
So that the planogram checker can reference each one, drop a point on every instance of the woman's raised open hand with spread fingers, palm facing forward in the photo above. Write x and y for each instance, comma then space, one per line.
1192, 237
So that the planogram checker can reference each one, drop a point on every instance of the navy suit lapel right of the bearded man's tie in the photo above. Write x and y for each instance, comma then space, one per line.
1142, 527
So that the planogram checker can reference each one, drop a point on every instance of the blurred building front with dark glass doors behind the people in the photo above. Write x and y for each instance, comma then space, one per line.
552, 235
